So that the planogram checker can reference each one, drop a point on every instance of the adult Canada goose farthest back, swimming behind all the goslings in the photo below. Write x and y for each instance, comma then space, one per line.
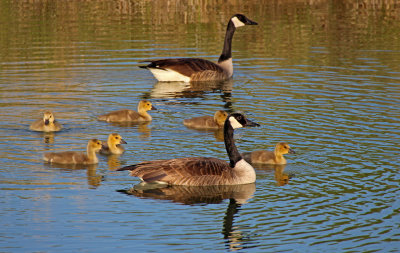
195, 69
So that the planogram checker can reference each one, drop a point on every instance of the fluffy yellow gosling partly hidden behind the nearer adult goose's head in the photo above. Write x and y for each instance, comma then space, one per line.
207, 122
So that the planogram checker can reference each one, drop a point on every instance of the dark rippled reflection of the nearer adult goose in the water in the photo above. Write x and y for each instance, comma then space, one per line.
203, 195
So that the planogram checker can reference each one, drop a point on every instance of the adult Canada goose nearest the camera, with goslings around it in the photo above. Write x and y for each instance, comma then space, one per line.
200, 171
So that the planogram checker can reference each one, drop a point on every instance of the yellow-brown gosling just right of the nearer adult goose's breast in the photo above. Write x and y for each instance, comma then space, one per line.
270, 157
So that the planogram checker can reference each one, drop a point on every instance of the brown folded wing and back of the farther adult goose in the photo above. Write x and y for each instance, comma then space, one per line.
186, 66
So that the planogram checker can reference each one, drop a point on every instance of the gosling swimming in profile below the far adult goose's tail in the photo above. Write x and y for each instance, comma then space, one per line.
127, 115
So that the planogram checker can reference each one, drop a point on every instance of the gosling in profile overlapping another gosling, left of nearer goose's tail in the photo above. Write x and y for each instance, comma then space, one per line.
72, 157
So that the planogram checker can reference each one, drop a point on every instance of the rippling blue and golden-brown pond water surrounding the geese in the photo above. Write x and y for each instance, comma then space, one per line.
323, 76
